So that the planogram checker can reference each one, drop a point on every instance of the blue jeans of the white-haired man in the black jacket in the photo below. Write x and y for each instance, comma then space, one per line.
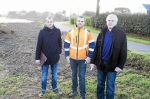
109, 77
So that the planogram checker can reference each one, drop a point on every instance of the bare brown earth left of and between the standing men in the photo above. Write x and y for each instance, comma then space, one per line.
17, 53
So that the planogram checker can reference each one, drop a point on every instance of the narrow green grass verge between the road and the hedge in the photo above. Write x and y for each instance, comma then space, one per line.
129, 37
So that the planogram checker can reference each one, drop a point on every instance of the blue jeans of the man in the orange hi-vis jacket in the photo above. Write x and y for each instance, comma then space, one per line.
75, 65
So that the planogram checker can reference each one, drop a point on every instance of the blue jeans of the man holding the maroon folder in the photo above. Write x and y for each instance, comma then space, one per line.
45, 68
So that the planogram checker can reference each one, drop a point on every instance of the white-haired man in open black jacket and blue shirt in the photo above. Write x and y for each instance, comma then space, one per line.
109, 56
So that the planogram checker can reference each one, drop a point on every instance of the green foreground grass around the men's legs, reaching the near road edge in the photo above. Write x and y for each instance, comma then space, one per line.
131, 83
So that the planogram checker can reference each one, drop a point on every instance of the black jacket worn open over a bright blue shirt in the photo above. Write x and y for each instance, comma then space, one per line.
118, 51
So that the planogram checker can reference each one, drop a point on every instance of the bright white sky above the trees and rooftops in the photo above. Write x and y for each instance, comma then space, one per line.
70, 6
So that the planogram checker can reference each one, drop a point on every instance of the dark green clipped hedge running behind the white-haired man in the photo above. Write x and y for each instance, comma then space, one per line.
131, 23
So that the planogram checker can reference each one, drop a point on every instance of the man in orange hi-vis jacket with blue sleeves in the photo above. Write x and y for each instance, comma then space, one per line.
79, 46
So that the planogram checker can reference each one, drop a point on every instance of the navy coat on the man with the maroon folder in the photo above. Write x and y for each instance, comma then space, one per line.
49, 42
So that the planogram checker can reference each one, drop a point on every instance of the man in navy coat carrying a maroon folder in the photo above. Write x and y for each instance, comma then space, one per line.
49, 42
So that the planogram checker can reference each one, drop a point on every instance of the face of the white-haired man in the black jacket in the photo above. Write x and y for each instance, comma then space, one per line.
111, 22
